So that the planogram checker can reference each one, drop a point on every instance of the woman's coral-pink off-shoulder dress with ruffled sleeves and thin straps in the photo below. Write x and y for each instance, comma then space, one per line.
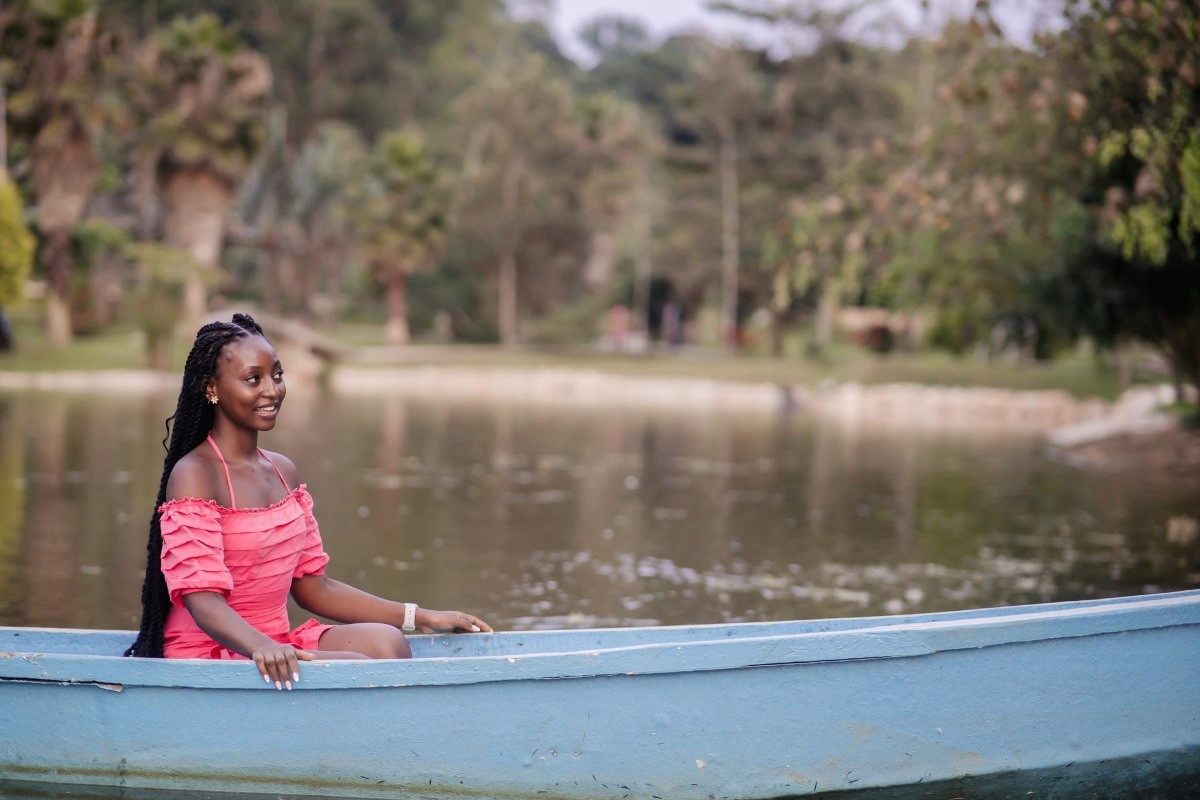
250, 556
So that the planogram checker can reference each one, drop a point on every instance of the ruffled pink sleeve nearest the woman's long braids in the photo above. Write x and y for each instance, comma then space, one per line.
194, 550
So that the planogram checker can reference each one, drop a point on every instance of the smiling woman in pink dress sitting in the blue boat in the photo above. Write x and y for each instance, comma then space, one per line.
233, 533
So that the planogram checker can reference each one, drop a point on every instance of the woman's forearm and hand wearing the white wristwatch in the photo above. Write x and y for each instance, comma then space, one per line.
341, 603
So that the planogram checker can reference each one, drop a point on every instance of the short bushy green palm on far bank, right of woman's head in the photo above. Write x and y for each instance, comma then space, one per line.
401, 221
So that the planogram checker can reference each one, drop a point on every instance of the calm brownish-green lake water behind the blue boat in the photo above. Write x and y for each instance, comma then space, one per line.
538, 518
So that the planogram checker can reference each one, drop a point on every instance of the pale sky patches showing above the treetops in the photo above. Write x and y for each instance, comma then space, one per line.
667, 17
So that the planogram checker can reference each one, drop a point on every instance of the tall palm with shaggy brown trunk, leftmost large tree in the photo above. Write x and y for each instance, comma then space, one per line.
55, 59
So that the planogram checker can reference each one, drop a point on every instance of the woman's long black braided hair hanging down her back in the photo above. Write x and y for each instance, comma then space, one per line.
193, 422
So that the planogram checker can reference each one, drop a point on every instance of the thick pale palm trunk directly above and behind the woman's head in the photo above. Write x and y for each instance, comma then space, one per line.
196, 204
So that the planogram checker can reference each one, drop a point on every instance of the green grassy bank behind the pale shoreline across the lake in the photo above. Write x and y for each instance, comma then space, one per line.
1078, 374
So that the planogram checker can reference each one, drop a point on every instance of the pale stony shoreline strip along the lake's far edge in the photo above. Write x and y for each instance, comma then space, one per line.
898, 404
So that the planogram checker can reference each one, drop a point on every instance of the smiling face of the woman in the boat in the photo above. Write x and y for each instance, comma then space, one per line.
249, 383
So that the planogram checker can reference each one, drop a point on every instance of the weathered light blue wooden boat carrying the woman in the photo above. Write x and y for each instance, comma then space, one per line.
1027, 699
